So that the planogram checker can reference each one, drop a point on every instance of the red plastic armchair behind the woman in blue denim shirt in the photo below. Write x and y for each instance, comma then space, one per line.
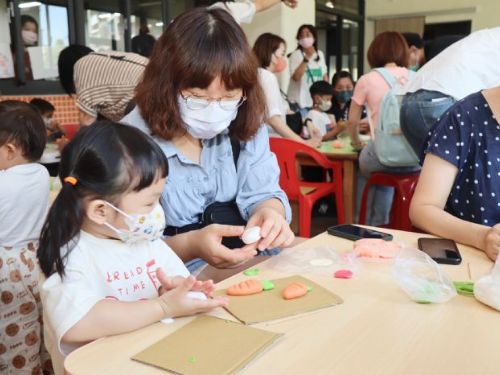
306, 193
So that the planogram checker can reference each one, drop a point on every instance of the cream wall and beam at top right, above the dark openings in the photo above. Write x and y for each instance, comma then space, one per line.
482, 13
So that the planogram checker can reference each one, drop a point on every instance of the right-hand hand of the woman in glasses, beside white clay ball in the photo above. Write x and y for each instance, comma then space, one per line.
274, 229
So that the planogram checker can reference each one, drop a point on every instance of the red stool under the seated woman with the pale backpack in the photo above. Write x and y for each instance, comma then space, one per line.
404, 187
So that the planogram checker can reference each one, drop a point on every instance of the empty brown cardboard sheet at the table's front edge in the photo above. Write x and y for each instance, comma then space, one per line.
209, 346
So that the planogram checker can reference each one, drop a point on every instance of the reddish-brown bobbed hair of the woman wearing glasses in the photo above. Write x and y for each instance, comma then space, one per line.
197, 47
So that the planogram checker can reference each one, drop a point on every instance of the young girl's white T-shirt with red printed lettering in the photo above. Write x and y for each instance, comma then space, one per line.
97, 269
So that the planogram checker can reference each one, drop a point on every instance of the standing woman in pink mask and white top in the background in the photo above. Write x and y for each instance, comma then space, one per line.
307, 65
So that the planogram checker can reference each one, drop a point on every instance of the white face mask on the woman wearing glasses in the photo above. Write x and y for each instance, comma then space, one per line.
204, 119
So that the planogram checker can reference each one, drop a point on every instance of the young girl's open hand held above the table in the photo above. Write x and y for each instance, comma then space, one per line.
175, 302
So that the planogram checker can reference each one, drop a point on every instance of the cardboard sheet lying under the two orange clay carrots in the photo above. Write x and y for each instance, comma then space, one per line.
270, 305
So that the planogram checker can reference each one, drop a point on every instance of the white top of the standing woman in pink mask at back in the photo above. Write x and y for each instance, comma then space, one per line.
298, 91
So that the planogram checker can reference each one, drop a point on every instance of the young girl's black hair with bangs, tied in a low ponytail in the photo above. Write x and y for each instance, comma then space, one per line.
107, 160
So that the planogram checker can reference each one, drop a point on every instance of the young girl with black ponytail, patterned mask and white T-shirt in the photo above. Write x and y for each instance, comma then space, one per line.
107, 269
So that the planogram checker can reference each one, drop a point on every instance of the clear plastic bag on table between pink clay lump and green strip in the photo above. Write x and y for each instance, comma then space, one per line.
421, 277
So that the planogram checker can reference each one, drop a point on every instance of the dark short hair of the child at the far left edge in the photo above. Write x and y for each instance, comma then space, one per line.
23, 126
